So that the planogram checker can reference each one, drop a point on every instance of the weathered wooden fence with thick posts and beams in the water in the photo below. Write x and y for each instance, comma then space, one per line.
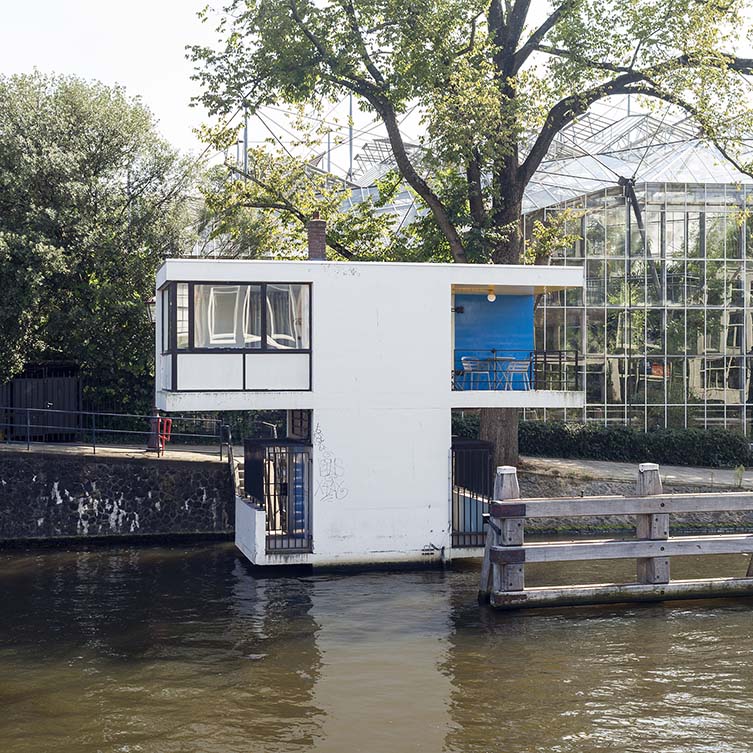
506, 554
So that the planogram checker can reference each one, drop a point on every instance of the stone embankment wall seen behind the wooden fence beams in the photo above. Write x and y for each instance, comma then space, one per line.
544, 485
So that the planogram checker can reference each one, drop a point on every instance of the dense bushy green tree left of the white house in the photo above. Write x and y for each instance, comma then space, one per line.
91, 201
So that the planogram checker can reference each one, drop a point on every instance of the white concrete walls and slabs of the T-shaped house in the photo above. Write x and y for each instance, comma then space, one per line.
381, 398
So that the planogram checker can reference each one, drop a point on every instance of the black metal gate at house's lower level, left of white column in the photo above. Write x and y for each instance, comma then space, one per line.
278, 477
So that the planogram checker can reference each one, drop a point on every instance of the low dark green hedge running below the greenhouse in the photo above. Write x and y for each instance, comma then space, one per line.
715, 448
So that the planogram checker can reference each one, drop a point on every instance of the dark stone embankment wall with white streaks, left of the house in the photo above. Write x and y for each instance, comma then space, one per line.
64, 496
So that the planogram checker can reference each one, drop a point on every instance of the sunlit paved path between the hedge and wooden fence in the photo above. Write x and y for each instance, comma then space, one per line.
603, 469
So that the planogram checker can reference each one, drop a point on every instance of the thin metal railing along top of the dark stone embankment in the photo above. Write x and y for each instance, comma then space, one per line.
30, 426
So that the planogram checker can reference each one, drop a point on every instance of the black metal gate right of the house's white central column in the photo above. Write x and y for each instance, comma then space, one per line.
472, 487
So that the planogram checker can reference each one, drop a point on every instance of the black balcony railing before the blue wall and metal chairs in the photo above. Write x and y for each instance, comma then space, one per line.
506, 369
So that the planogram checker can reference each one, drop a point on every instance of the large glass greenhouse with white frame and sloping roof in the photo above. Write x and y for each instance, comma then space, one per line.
666, 236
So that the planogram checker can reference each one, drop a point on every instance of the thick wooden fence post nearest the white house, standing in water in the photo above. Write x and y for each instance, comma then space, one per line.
503, 532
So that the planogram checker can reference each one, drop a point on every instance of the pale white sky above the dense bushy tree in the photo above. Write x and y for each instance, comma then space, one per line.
139, 44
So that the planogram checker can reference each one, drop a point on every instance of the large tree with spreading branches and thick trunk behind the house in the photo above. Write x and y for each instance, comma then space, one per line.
497, 80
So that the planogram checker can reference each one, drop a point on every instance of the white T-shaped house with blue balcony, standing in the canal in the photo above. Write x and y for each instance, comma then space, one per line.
369, 359
